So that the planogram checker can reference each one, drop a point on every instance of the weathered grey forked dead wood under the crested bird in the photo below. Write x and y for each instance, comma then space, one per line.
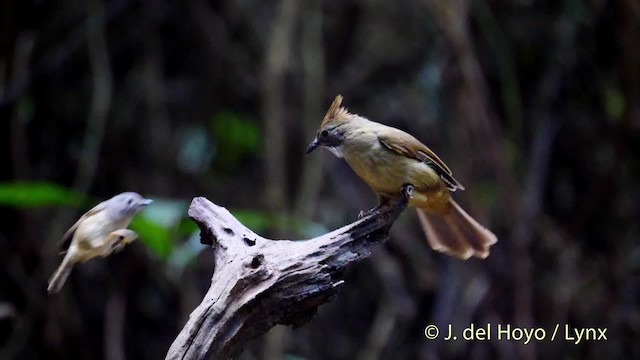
259, 283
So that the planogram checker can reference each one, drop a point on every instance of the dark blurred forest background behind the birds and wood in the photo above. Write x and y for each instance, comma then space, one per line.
533, 104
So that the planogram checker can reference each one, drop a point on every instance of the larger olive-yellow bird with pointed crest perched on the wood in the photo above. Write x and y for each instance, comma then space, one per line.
387, 159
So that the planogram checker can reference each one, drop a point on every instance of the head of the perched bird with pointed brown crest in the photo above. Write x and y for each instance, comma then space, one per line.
332, 131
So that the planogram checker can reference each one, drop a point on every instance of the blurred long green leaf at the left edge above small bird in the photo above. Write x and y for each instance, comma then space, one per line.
37, 194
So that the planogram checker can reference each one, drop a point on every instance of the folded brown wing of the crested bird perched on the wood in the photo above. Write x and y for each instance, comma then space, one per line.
406, 145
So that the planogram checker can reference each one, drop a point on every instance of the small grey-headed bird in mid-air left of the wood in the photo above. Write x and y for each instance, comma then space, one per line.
100, 232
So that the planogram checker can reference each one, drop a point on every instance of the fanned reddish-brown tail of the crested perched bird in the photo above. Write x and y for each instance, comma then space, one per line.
456, 233
